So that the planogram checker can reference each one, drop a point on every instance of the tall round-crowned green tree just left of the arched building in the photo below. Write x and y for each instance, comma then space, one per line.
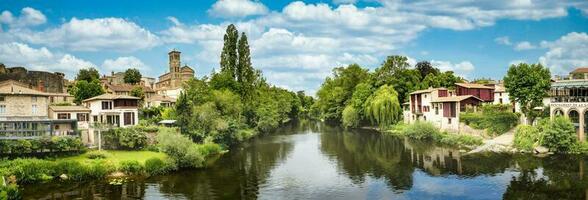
527, 85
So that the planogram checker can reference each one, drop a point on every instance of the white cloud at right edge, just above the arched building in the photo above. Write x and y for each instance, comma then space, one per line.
566, 53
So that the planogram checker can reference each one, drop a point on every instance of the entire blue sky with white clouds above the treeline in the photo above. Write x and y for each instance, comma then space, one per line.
295, 43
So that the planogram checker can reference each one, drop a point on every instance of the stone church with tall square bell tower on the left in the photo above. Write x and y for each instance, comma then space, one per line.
170, 84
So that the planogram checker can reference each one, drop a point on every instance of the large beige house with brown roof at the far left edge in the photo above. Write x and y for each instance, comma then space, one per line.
24, 114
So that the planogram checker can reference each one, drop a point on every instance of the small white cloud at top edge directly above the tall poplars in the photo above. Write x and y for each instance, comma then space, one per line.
237, 8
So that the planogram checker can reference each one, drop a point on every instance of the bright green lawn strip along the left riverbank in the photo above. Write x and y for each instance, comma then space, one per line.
116, 156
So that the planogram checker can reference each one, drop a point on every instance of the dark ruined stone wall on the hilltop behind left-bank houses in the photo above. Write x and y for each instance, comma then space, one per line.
38, 80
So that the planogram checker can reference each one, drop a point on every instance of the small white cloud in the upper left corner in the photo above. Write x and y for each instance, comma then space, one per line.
28, 17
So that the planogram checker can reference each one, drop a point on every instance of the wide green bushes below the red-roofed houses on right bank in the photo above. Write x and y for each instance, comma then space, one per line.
496, 119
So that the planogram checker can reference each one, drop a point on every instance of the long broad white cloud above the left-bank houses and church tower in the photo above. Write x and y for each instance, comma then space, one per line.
113, 34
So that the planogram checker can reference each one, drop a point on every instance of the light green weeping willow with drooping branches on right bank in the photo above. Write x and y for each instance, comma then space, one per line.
382, 107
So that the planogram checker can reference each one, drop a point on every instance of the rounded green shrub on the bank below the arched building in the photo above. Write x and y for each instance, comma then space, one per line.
559, 135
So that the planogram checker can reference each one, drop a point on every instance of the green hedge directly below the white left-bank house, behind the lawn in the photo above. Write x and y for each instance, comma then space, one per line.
125, 138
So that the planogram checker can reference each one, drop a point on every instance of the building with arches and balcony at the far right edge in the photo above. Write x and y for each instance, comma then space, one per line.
569, 97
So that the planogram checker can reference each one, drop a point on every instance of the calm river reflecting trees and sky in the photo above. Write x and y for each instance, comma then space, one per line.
316, 161
